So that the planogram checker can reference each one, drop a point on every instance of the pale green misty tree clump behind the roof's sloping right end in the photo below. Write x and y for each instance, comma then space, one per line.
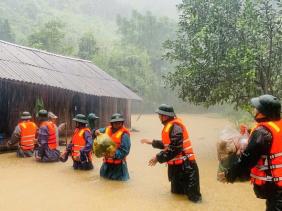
131, 66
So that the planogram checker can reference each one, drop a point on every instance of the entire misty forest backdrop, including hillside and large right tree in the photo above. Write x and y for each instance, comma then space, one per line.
203, 52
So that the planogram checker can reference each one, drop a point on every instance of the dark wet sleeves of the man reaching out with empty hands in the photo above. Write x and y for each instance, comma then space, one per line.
174, 148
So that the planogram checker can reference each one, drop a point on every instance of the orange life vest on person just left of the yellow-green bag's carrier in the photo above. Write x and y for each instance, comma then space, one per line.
79, 142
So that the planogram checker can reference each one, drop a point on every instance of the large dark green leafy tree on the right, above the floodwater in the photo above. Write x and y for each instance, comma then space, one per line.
226, 51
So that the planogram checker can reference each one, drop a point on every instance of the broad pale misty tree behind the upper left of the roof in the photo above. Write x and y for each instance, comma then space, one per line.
49, 37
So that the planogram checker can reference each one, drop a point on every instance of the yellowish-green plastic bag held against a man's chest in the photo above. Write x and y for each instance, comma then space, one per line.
104, 146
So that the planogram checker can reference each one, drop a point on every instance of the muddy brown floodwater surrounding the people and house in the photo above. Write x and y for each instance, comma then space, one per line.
27, 185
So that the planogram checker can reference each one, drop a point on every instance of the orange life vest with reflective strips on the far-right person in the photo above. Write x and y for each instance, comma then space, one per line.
272, 163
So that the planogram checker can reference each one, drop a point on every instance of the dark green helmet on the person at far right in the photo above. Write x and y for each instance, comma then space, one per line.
268, 105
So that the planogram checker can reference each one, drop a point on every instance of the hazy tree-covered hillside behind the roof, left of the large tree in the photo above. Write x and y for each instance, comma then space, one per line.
124, 42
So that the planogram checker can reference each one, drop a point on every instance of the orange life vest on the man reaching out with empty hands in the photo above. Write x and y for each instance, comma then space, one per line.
187, 151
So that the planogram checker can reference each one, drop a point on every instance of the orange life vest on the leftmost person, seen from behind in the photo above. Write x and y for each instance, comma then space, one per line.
28, 131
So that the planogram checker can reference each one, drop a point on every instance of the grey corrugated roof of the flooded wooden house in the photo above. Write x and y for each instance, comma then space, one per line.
29, 65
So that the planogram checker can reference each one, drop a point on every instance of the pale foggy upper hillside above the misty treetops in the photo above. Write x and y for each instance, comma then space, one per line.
98, 16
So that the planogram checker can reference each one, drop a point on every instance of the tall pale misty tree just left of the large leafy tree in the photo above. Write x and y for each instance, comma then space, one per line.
147, 32
